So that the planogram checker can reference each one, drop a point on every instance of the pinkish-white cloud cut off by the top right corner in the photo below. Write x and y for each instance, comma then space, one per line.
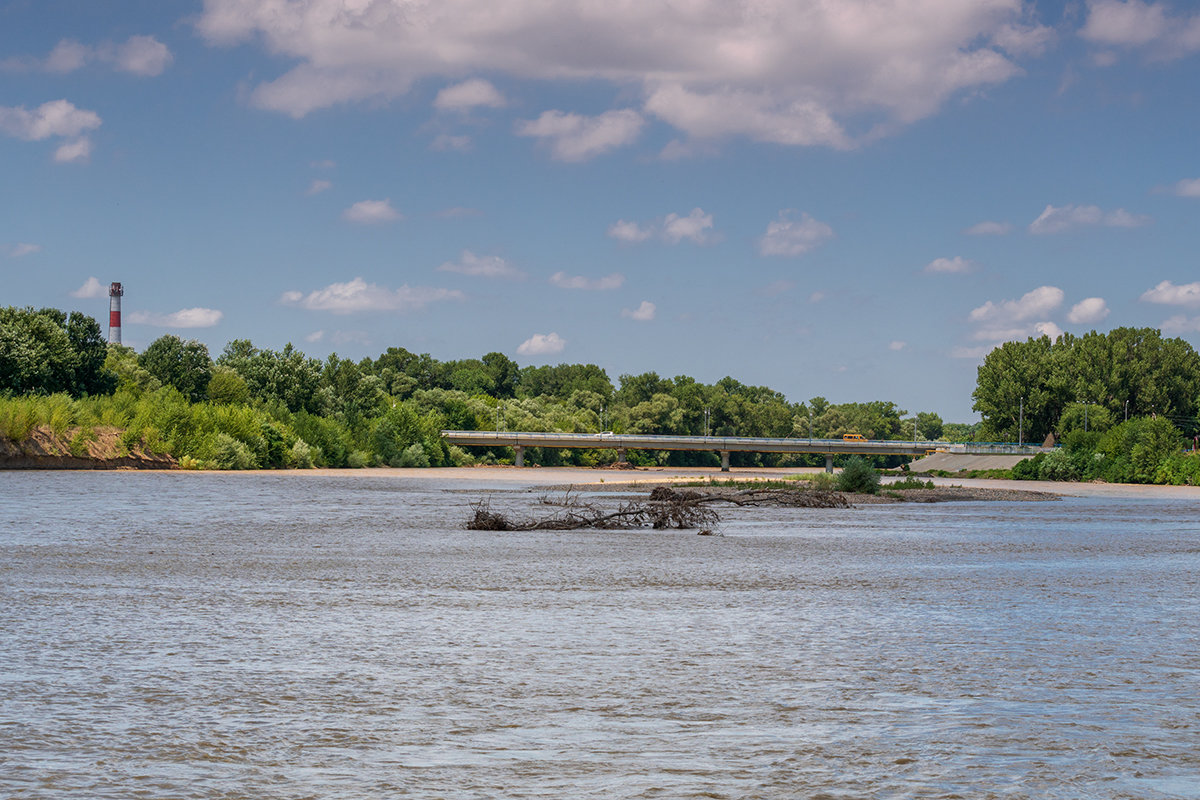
1150, 27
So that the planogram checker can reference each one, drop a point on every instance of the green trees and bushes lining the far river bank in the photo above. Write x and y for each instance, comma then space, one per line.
257, 407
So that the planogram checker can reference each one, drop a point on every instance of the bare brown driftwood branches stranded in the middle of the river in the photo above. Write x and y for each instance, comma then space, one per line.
665, 508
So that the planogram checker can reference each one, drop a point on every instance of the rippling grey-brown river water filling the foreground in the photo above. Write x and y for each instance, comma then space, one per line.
229, 636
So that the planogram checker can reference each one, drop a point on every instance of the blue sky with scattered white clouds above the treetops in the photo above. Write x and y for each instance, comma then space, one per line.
848, 200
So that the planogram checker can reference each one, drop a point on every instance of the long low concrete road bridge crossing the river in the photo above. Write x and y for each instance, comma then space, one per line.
725, 446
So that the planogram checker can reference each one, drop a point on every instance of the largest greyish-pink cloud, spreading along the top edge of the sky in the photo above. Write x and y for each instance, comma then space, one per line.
796, 73
